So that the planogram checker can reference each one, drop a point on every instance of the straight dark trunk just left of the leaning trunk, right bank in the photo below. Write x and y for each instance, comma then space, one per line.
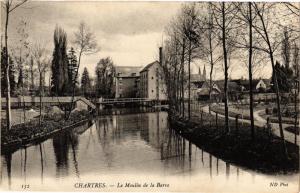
250, 71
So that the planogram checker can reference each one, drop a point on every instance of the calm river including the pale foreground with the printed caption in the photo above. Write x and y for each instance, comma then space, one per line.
139, 149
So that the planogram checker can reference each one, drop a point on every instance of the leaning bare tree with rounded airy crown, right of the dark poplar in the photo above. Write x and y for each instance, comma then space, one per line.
85, 42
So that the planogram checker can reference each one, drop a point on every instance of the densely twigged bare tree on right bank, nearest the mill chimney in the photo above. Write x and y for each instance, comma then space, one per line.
181, 49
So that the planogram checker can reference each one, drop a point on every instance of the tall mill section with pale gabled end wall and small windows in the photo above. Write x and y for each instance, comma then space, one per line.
152, 85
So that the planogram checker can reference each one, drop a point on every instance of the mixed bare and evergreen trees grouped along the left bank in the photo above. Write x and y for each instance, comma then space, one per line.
28, 61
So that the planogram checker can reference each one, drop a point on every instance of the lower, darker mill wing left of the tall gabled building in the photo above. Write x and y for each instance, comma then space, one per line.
127, 81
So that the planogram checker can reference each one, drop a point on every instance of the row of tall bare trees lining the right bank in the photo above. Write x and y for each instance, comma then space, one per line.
217, 33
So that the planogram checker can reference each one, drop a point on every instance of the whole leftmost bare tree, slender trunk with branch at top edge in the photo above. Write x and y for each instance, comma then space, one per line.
9, 6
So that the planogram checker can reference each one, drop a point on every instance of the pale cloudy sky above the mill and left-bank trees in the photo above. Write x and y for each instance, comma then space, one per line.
129, 33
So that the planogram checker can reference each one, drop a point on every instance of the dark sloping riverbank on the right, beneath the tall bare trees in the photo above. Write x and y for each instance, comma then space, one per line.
264, 154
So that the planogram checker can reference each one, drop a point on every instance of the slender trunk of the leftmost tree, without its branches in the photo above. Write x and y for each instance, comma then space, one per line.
8, 108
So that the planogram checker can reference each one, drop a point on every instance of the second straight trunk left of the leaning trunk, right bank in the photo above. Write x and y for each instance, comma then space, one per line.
226, 68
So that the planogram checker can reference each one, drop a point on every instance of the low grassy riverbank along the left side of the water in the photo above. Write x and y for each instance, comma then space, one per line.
30, 132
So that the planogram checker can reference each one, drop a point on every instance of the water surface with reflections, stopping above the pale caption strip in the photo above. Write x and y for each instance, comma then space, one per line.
118, 144
